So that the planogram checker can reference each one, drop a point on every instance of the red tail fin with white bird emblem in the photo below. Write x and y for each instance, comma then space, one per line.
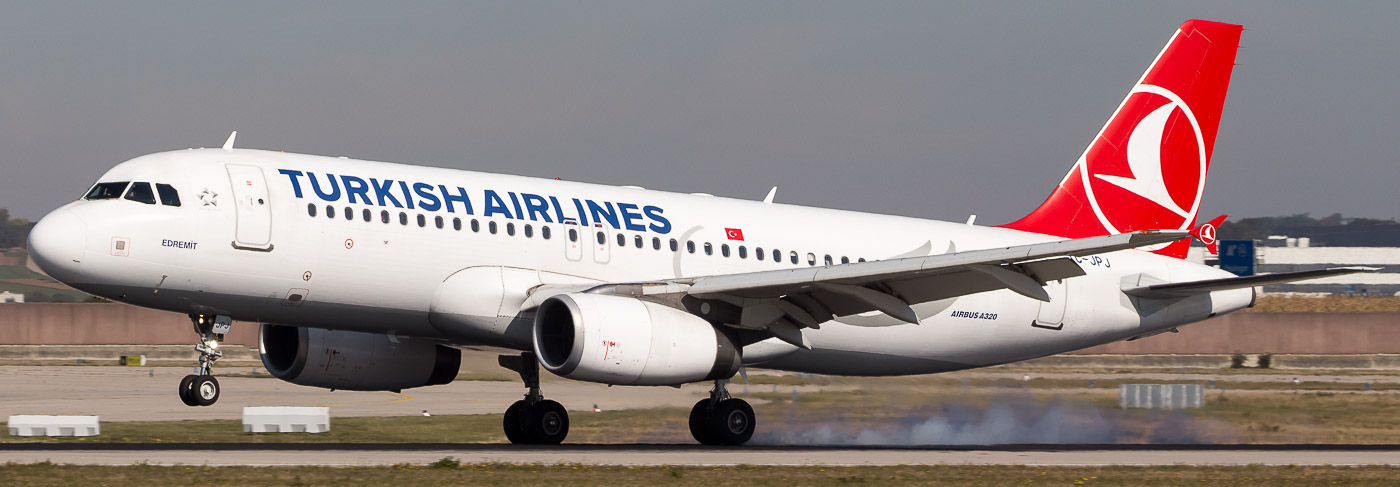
1147, 167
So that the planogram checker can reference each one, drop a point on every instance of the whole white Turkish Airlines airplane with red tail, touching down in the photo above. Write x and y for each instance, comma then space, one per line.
374, 276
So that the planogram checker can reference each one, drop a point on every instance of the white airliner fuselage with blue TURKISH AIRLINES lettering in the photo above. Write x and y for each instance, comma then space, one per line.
246, 244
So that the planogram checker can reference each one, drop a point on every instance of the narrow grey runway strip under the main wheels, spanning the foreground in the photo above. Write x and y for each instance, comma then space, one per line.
695, 456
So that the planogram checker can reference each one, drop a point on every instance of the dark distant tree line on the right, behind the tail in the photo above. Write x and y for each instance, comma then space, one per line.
1331, 230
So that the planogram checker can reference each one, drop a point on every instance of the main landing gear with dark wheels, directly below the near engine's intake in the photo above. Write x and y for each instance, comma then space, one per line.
533, 421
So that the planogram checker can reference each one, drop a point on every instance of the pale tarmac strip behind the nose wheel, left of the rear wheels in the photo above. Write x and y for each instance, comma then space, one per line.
145, 394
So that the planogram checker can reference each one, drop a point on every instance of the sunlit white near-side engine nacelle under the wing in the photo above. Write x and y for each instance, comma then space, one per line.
629, 342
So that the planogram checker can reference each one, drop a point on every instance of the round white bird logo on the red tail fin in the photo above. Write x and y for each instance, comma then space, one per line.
1139, 170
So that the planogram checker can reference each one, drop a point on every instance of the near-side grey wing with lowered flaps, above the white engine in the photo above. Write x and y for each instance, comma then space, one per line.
785, 302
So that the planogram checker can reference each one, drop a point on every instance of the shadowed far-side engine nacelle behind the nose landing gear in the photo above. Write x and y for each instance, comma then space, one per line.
353, 360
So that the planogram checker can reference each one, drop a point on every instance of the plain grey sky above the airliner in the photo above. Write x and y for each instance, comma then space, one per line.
909, 108
